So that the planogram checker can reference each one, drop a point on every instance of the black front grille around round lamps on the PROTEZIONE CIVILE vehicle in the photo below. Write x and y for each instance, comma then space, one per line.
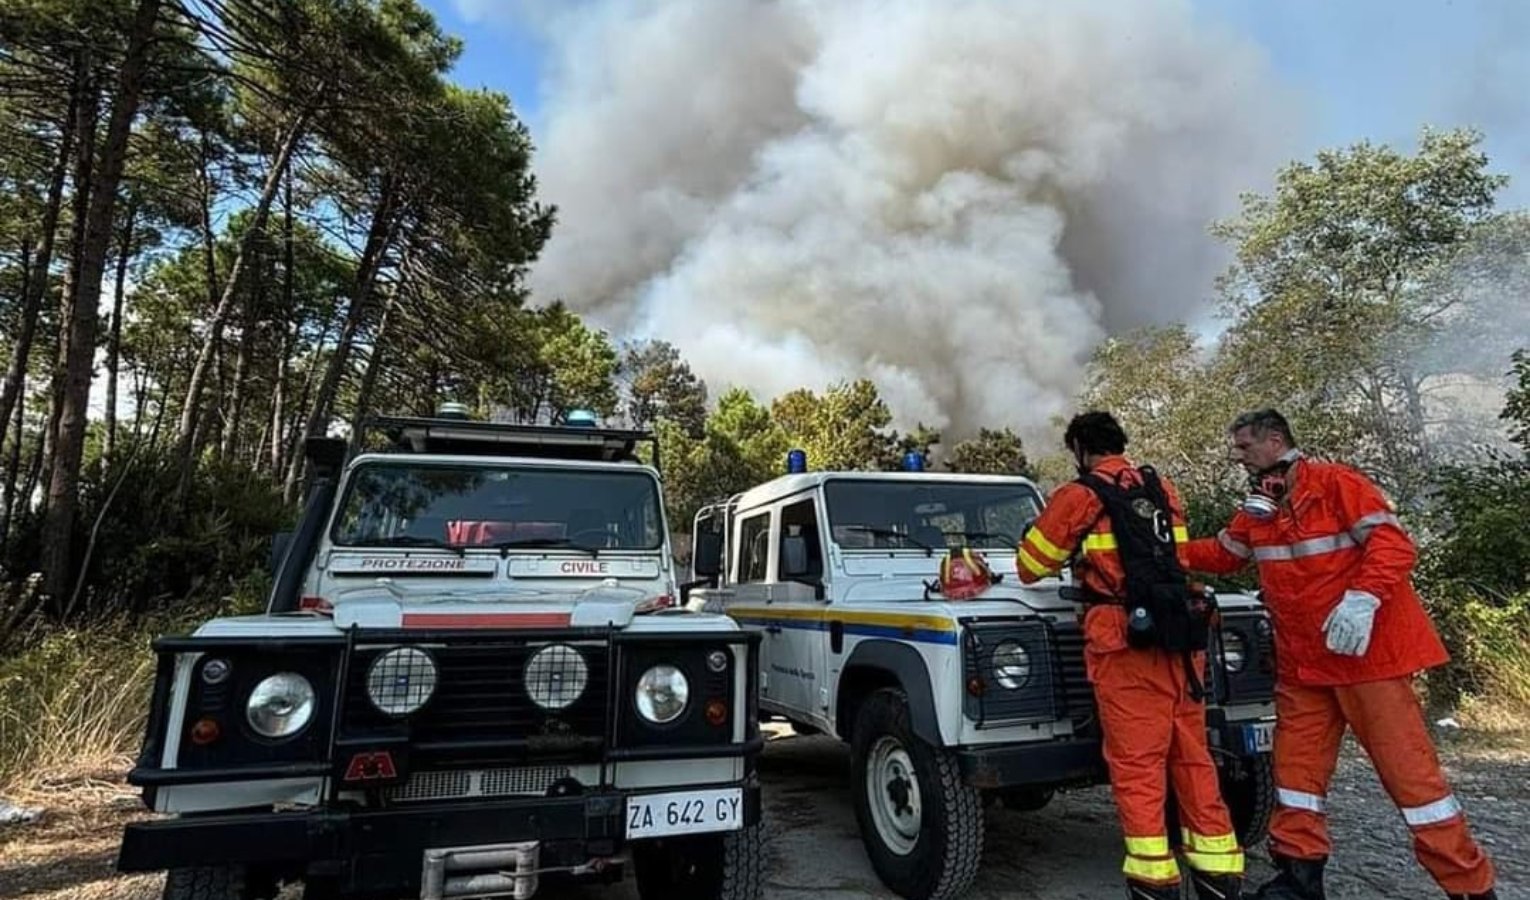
481, 709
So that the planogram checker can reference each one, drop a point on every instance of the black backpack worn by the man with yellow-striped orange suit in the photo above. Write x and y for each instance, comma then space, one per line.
1159, 604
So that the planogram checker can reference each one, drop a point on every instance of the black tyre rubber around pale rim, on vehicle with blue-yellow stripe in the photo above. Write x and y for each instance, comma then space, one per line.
948, 850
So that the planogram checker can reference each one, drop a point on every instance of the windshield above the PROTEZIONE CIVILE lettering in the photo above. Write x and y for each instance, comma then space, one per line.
405, 504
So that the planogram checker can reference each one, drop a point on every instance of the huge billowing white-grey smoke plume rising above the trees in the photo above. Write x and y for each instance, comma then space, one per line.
954, 198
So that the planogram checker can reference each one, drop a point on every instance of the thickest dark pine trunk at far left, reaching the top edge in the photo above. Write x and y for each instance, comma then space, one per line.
86, 293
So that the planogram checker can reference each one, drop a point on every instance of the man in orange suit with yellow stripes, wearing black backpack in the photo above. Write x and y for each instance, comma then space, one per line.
1154, 726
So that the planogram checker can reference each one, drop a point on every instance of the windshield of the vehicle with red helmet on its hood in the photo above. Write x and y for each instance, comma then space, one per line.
905, 515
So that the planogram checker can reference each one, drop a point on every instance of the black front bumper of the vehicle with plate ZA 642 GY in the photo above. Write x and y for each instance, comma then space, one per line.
382, 852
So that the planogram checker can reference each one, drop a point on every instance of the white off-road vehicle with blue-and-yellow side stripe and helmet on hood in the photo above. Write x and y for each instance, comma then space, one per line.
946, 705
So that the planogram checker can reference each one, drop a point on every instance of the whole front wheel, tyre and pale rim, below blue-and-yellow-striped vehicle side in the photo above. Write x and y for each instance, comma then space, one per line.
922, 826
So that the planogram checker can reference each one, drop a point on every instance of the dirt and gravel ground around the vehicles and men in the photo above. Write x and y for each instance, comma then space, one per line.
1067, 852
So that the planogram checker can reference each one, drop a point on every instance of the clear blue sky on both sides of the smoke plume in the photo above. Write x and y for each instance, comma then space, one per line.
1373, 70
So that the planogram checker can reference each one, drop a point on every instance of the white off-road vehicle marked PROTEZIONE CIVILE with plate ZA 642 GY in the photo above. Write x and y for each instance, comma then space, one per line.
474, 679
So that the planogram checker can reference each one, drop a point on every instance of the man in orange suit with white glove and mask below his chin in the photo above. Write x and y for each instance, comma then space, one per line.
1350, 633
